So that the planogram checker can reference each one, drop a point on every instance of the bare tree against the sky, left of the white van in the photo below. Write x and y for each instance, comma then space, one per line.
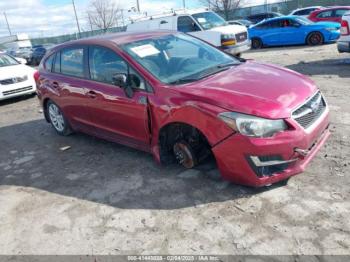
103, 14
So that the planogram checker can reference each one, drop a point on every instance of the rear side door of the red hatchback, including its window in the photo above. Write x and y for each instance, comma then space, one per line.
69, 78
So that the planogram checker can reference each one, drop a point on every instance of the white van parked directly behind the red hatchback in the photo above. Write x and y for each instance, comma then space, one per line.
202, 24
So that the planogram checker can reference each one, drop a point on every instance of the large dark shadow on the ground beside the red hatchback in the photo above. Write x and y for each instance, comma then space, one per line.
83, 167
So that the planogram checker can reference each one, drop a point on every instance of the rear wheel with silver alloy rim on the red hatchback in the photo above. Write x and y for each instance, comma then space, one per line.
57, 119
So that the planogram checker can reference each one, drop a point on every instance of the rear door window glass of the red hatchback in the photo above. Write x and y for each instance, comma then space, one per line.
72, 62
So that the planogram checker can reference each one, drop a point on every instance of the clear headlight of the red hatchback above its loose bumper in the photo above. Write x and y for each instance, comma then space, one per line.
252, 126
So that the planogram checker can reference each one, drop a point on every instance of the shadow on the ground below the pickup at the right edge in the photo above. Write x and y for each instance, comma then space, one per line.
328, 67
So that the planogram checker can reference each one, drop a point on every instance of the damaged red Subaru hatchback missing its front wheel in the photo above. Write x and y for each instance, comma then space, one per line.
261, 122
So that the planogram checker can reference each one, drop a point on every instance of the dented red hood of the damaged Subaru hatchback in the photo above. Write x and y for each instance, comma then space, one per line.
253, 88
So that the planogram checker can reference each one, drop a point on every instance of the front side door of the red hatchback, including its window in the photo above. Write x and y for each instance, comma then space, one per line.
114, 115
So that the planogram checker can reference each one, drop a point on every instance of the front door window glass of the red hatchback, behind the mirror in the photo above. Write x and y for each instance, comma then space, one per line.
104, 64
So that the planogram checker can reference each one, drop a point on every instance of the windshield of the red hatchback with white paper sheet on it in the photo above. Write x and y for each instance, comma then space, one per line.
178, 58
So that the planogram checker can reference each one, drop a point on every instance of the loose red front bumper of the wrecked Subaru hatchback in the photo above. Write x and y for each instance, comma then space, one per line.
295, 148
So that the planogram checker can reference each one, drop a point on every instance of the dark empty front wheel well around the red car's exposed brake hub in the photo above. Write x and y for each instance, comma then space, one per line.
174, 132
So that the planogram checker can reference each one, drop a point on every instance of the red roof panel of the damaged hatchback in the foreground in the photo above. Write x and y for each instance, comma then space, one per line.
117, 38
